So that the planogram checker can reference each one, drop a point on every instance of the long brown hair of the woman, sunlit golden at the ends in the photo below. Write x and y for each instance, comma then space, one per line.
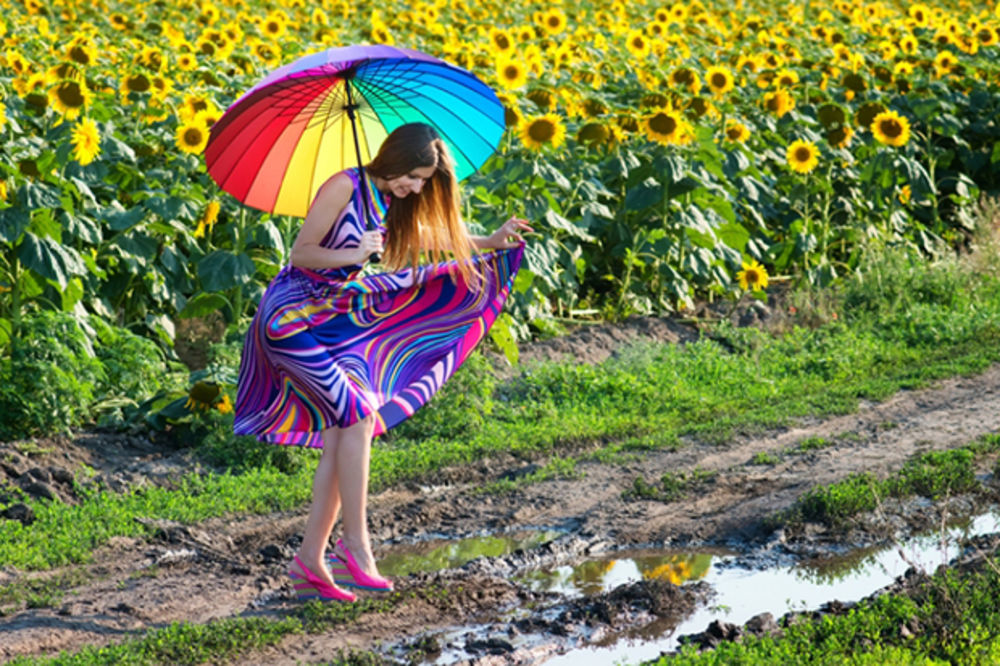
428, 221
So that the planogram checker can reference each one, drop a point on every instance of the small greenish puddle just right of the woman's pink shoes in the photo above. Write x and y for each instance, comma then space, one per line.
439, 554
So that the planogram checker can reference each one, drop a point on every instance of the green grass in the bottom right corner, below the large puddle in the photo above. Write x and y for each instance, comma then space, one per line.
955, 615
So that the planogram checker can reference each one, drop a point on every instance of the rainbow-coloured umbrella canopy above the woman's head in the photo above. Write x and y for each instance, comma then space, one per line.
275, 146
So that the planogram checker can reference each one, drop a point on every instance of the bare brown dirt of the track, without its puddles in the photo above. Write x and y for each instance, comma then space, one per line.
234, 567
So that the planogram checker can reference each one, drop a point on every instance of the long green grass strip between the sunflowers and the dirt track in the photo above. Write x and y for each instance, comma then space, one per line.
914, 324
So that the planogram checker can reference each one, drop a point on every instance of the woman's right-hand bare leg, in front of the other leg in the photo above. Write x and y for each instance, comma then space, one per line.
353, 455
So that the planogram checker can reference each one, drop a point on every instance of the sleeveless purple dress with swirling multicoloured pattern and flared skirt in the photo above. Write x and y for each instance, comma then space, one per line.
327, 347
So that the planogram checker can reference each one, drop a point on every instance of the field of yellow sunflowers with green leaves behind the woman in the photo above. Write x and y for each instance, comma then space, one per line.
659, 148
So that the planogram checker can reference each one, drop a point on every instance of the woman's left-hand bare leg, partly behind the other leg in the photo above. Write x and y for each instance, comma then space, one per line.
324, 508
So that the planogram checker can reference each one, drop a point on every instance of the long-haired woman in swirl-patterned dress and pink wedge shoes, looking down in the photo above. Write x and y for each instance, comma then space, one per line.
333, 358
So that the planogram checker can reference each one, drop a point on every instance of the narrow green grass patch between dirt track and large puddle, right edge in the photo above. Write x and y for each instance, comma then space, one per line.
935, 474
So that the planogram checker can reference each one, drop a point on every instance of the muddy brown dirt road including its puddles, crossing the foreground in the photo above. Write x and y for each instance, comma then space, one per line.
556, 572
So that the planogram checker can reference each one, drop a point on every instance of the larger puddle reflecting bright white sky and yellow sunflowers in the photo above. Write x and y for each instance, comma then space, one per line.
741, 592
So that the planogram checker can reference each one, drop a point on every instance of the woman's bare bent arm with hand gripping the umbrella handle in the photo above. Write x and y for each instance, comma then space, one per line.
330, 201
